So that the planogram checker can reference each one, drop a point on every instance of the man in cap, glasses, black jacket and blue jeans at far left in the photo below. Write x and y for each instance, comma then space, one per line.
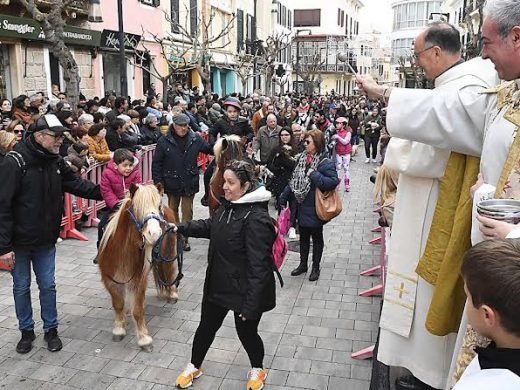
34, 179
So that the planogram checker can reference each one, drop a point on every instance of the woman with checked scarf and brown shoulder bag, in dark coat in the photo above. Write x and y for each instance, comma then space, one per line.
313, 170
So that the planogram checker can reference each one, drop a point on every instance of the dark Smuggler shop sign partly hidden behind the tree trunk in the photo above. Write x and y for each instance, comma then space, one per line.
23, 28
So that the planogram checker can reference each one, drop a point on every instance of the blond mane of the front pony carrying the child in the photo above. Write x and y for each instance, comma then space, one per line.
146, 199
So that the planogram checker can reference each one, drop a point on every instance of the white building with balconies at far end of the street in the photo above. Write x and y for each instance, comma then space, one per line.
322, 31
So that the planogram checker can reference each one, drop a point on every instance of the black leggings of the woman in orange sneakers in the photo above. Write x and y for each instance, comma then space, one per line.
211, 318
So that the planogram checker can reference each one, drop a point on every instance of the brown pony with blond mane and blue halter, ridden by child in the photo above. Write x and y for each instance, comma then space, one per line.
125, 257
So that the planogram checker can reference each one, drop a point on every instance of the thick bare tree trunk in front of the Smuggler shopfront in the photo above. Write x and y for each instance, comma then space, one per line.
53, 25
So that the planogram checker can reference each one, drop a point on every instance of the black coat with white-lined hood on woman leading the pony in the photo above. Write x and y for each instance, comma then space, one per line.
240, 274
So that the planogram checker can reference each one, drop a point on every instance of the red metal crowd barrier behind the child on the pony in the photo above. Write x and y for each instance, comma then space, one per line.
88, 209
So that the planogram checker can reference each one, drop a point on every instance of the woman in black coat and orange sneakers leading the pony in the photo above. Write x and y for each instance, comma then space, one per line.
240, 275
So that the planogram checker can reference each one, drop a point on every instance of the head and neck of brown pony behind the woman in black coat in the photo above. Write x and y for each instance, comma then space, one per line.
227, 148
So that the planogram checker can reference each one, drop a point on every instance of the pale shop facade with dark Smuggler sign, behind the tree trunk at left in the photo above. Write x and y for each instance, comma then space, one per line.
26, 63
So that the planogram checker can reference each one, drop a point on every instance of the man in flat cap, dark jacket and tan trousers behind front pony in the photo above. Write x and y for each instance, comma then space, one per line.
175, 166
